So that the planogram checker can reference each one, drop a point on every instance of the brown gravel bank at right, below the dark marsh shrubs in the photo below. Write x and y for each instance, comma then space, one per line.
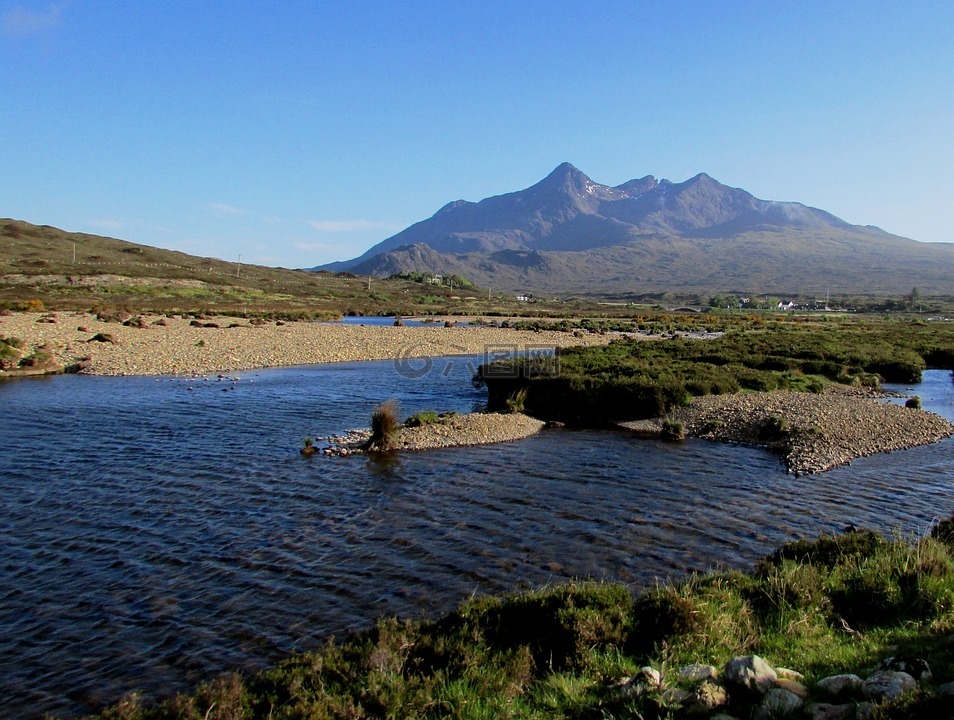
817, 431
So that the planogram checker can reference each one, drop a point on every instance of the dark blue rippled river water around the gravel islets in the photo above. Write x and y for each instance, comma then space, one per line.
157, 531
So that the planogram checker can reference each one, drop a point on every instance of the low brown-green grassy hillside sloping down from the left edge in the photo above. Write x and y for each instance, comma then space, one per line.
65, 270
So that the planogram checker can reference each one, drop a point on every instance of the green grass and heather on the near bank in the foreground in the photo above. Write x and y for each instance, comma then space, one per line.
834, 605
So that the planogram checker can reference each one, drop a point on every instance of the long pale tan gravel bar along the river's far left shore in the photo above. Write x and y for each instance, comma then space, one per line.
177, 348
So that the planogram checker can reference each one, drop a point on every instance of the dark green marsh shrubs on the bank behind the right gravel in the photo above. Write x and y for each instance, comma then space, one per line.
633, 378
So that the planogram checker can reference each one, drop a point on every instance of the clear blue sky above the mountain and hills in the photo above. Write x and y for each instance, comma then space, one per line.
297, 133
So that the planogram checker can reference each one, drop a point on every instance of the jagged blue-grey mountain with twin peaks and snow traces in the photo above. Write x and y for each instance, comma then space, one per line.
569, 234
